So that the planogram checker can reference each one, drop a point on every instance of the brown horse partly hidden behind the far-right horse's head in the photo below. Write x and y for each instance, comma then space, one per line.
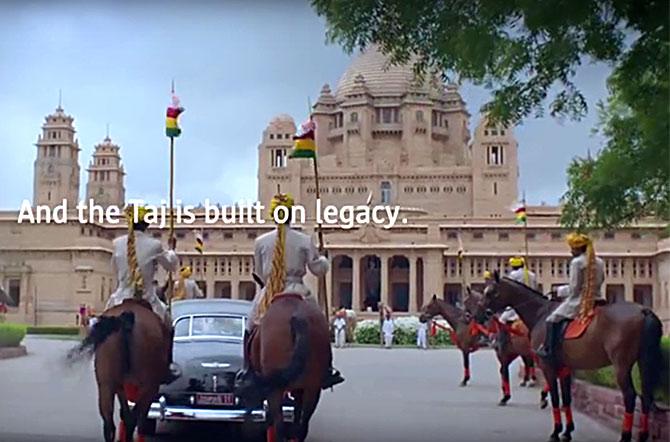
515, 345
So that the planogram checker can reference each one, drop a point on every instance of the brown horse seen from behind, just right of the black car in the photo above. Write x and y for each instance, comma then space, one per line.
289, 352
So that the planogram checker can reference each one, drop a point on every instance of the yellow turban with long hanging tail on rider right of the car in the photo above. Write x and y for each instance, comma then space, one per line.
277, 280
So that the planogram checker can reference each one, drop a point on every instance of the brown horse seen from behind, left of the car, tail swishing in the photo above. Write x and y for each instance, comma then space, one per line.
130, 343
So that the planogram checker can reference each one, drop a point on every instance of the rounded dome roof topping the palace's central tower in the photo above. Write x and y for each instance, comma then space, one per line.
383, 78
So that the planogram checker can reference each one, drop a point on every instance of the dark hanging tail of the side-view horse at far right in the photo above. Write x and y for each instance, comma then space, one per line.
650, 357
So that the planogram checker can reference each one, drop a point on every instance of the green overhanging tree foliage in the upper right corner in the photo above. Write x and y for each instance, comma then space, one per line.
527, 54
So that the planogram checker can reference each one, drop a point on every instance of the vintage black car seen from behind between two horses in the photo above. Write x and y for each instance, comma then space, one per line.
208, 349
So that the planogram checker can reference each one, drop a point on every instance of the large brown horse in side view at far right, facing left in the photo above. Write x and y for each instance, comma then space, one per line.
620, 334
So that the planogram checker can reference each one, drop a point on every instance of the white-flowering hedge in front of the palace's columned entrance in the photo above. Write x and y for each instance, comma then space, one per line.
368, 332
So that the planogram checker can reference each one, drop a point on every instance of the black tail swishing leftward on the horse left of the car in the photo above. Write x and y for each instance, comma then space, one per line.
103, 329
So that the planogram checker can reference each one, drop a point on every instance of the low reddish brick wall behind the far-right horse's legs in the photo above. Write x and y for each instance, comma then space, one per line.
606, 406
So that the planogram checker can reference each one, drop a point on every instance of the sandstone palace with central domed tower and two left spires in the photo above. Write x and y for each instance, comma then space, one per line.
382, 135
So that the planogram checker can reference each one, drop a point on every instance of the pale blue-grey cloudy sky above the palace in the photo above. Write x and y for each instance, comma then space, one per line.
236, 65
